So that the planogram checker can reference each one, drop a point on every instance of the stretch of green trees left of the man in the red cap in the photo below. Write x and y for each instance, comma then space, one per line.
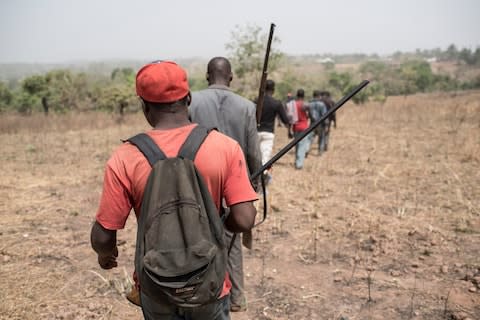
62, 90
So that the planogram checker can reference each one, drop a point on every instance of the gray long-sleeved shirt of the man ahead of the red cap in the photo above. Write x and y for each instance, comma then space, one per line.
219, 107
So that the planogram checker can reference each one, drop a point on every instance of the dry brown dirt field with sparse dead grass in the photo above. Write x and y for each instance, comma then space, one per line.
385, 225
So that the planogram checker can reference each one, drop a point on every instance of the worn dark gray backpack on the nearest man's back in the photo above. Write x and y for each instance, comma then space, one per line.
180, 255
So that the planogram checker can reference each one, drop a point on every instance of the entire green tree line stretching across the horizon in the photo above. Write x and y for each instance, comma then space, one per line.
63, 90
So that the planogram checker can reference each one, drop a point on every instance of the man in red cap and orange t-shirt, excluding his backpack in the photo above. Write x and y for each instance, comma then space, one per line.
163, 89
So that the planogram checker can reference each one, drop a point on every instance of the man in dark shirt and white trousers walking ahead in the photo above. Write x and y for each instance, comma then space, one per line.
271, 108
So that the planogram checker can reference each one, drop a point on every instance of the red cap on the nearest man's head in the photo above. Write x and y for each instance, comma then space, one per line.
162, 82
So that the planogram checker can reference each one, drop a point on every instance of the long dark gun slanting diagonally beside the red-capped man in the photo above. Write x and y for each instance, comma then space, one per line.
295, 141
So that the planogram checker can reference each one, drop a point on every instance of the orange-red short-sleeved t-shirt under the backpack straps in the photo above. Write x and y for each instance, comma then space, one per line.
219, 160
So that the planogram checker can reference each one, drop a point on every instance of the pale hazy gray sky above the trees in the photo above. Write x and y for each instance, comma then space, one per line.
68, 30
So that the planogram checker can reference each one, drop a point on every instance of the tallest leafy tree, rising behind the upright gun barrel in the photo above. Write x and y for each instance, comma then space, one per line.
247, 52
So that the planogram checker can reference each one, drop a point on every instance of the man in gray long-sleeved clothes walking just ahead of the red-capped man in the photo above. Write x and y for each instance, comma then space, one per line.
219, 107
